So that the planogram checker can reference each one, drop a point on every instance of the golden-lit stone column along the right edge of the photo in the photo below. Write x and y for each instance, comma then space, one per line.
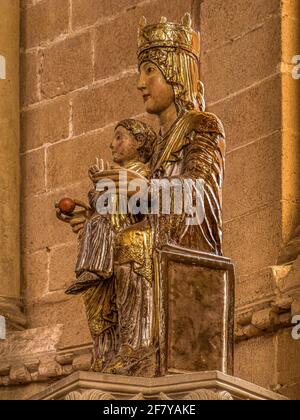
291, 122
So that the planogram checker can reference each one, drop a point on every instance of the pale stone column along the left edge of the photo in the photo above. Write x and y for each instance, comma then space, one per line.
9, 166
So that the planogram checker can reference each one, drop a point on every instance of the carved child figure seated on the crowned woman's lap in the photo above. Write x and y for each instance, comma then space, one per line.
132, 148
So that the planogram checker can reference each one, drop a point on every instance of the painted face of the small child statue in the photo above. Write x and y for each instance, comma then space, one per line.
124, 147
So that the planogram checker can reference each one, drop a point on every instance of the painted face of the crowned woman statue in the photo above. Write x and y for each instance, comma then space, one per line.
158, 95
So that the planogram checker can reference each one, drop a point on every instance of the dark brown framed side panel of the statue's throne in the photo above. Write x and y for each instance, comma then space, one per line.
196, 311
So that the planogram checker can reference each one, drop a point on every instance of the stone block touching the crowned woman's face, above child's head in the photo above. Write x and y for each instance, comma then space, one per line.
102, 105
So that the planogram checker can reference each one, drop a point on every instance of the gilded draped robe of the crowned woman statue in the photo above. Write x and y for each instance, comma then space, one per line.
194, 148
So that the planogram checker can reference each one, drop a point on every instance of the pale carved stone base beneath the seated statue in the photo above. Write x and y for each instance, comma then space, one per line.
212, 385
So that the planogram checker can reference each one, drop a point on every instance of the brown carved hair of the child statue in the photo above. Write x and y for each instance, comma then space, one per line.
144, 135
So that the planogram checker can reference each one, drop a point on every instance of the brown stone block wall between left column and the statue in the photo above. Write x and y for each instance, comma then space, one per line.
79, 79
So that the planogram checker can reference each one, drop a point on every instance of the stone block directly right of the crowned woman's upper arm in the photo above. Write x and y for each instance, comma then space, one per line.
253, 176
